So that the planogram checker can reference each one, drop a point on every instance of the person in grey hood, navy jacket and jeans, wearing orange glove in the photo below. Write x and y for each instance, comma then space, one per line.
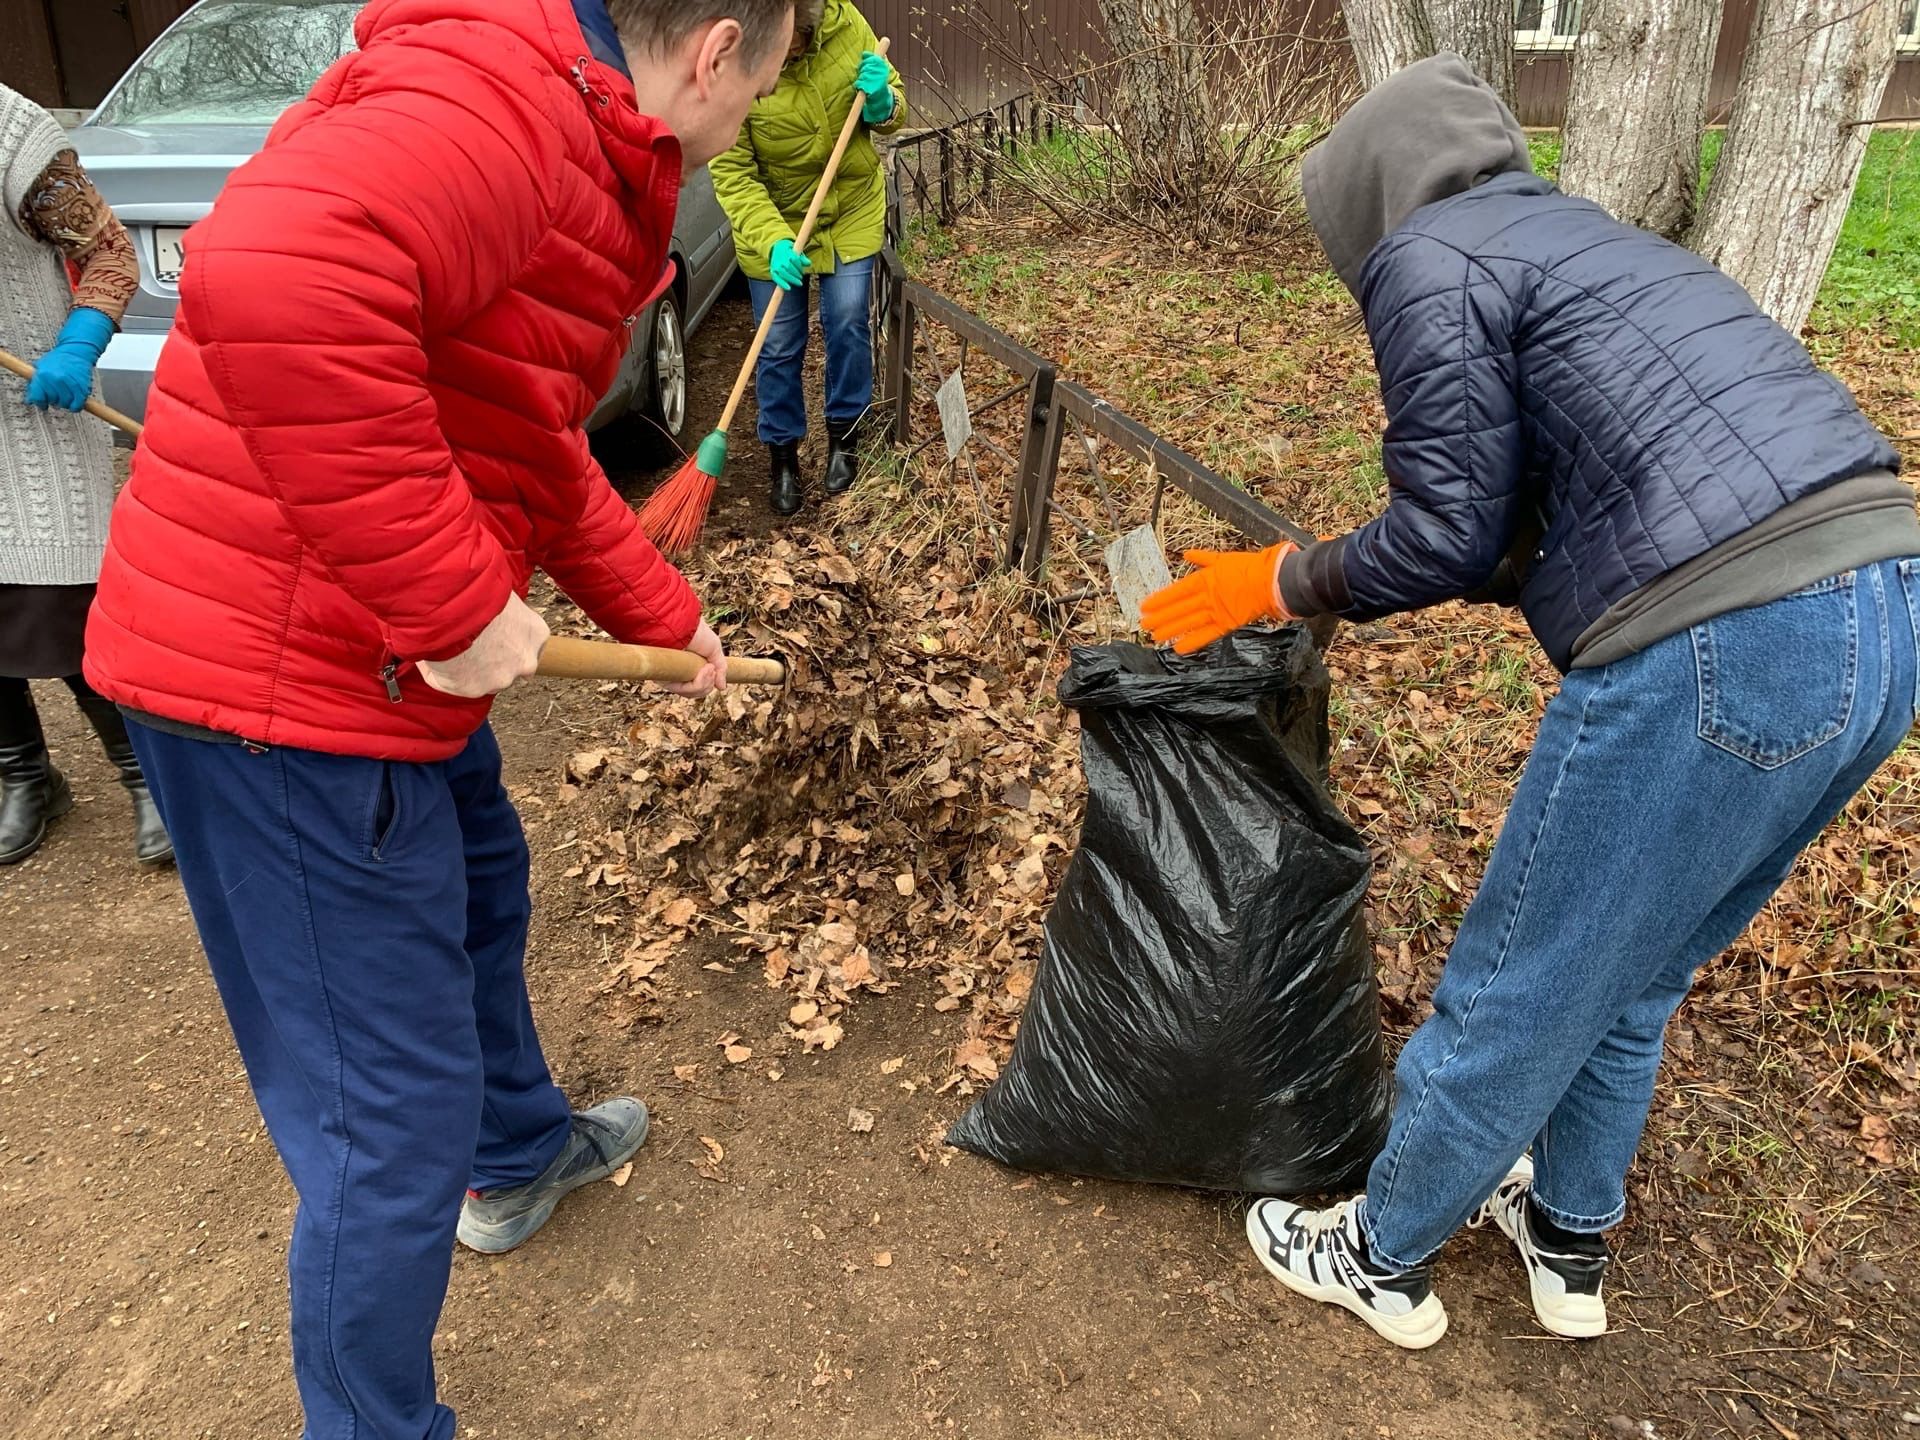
1716, 548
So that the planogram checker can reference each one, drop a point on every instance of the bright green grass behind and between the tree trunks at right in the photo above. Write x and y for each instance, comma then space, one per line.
1873, 279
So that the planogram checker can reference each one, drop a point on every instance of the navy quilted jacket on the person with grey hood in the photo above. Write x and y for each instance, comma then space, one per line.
1548, 366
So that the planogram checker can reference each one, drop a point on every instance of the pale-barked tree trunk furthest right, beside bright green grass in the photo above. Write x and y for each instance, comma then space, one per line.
1794, 147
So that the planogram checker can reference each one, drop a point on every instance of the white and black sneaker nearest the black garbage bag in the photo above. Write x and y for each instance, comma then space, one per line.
1324, 1257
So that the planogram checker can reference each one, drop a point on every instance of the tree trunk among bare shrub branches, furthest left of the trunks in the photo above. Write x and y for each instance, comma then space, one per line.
1166, 114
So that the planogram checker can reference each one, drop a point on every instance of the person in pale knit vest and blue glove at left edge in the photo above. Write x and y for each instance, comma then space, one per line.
57, 468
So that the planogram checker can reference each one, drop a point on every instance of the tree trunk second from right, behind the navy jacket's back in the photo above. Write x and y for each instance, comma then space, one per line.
1637, 108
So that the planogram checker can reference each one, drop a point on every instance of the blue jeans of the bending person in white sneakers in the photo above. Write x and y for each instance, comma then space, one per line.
1662, 807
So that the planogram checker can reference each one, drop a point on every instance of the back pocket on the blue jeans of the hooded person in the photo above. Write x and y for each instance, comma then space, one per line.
1779, 681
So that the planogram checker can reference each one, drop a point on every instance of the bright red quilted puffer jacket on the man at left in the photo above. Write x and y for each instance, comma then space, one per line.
366, 429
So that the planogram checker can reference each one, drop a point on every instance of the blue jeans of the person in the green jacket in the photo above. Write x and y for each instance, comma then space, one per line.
780, 381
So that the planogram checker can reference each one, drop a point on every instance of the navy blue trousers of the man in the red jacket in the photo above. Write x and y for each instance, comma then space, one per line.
366, 924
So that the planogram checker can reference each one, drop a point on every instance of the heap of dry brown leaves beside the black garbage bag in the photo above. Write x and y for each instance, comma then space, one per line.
907, 804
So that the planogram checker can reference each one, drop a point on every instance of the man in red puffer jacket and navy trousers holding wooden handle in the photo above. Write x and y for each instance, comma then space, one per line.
362, 439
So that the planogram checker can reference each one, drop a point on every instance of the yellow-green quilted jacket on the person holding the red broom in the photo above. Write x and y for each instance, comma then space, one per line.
767, 180
